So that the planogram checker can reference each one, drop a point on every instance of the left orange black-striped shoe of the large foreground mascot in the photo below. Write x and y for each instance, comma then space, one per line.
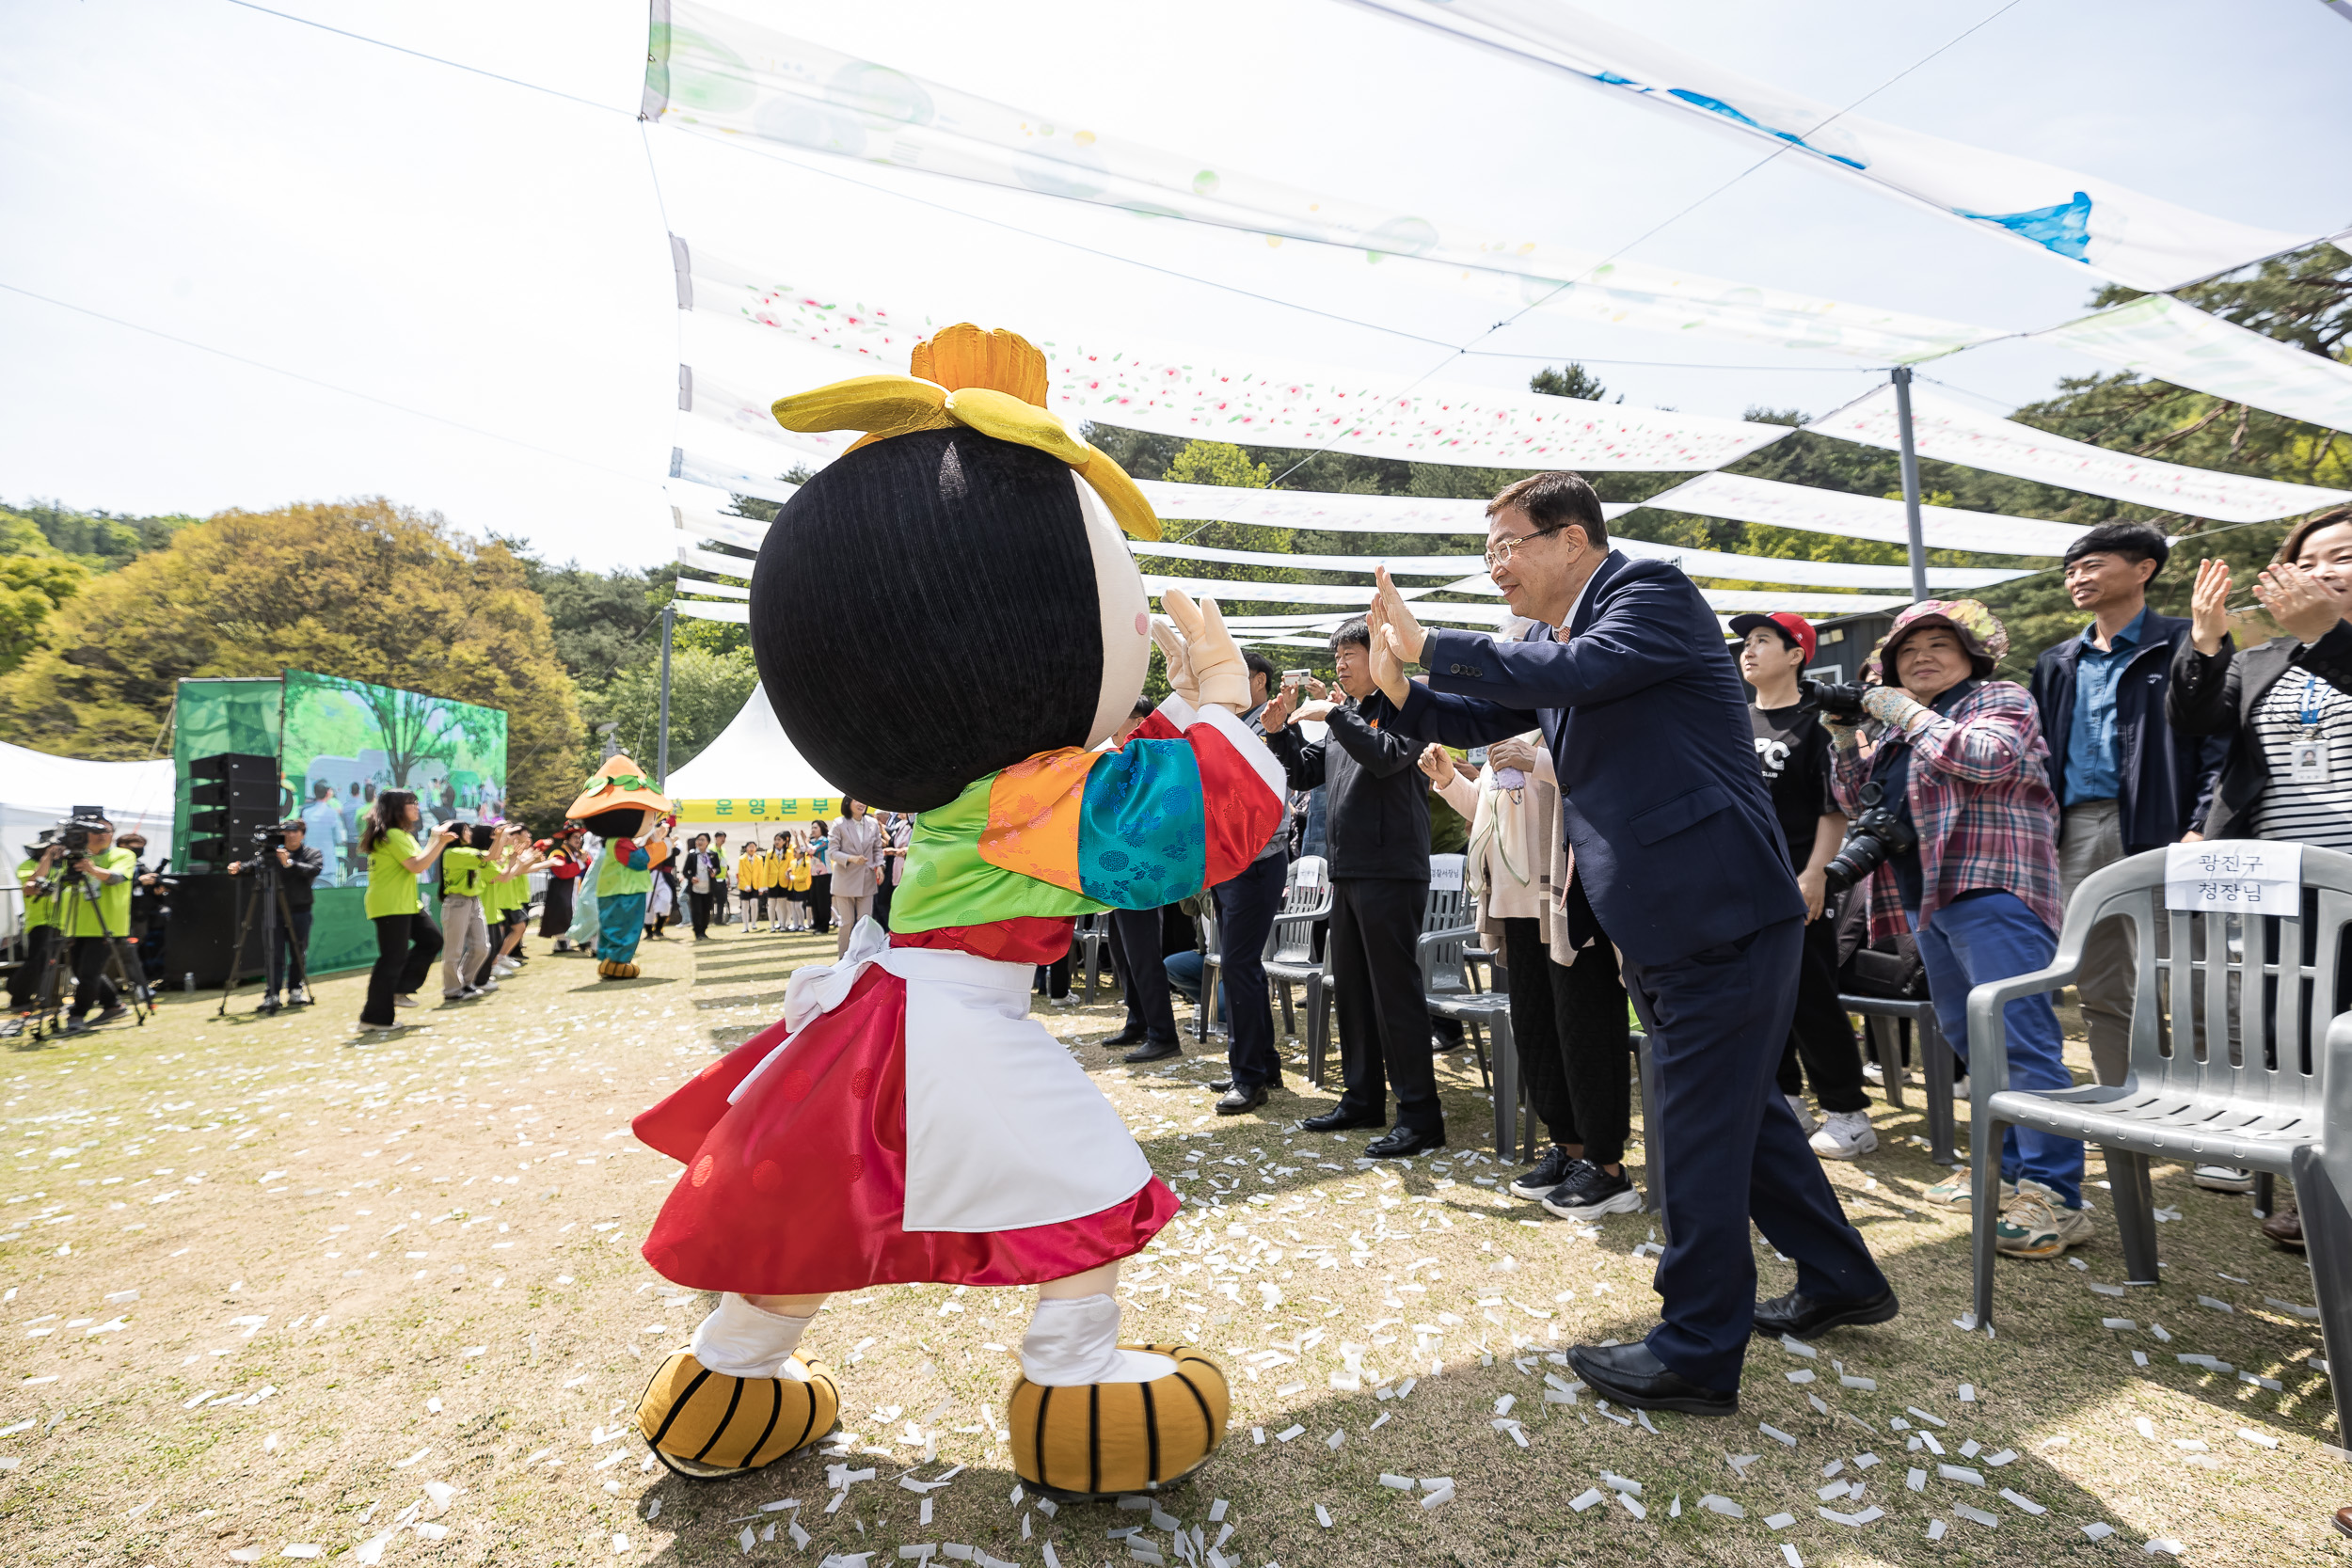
709, 1426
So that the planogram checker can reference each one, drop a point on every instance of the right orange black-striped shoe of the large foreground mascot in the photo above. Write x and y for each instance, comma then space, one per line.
1121, 1438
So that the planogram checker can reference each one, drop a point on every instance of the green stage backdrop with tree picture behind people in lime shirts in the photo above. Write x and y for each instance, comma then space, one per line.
342, 742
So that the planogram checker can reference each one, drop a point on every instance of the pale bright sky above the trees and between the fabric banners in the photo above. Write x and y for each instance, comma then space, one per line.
493, 260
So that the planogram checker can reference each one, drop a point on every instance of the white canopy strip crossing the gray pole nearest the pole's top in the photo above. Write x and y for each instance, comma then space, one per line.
1956, 434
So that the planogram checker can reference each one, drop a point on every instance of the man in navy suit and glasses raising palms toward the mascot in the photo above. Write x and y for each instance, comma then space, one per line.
1681, 866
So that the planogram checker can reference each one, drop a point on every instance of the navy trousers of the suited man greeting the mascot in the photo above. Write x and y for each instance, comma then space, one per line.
1725, 1148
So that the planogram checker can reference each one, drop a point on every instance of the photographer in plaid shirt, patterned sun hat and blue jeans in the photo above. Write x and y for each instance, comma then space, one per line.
1956, 838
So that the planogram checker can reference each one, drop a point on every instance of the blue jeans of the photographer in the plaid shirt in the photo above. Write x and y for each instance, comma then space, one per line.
1993, 937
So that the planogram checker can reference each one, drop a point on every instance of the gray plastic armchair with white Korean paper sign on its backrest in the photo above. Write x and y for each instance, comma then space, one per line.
2278, 1104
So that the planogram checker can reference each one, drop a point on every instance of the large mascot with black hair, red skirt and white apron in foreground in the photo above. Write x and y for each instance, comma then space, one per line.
907, 1120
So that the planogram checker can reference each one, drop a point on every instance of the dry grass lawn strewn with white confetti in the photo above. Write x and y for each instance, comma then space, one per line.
286, 1292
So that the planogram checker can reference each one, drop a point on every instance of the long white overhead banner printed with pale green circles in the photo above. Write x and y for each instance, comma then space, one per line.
721, 74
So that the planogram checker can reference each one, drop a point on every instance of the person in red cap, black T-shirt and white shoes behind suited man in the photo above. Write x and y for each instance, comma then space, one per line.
1796, 756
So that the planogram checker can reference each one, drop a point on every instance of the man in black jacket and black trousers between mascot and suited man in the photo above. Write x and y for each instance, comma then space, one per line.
1379, 850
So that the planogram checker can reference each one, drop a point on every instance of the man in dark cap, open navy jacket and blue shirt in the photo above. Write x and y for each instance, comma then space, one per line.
2127, 782
